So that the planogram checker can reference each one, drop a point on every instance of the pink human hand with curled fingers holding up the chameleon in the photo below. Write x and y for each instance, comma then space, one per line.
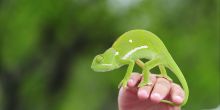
148, 97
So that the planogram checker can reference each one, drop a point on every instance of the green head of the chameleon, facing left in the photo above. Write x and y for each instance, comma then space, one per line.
105, 62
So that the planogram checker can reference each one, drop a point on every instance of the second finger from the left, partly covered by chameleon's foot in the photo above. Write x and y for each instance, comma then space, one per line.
144, 92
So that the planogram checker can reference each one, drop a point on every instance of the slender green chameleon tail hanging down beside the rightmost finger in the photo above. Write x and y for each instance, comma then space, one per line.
175, 69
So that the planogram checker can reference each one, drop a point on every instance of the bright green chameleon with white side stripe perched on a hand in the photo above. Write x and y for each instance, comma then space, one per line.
133, 46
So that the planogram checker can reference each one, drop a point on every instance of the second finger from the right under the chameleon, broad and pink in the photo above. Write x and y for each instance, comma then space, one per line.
160, 90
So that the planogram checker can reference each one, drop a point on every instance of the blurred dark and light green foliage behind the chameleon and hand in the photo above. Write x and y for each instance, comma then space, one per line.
47, 47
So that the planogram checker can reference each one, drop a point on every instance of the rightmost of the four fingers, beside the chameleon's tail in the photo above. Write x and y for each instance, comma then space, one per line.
177, 94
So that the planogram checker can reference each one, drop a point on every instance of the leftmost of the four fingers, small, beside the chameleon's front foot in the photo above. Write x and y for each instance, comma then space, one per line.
134, 79
